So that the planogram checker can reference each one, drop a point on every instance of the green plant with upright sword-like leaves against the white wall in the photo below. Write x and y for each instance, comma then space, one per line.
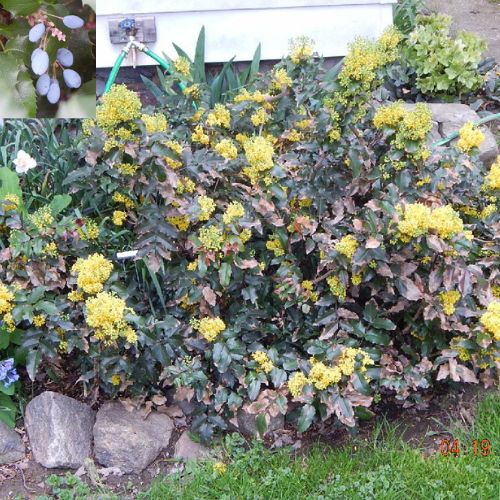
215, 87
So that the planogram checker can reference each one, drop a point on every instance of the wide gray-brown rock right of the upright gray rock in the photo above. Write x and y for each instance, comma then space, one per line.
126, 440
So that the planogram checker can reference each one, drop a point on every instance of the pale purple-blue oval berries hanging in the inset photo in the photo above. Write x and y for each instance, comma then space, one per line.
46, 85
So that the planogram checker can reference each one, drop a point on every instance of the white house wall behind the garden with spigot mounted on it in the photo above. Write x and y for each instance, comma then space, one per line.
236, 27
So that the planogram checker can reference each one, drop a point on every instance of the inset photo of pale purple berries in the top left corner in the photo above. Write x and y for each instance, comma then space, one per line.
47, 58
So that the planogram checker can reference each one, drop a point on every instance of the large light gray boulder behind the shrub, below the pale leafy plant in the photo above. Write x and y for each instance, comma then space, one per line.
449, 118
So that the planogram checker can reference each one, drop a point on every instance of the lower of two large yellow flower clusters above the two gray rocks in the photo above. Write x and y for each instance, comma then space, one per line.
105, 314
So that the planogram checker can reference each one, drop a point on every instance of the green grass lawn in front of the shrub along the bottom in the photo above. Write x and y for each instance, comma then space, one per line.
385, 467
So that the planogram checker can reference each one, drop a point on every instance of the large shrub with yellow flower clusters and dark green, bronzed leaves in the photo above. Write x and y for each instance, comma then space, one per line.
299, 251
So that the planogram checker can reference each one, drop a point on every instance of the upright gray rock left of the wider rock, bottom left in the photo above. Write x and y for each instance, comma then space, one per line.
60, 430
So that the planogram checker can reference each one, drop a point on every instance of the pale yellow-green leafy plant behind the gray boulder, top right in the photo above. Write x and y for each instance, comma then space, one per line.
440, 65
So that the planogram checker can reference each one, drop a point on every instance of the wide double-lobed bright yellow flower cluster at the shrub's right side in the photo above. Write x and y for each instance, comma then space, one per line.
419, 219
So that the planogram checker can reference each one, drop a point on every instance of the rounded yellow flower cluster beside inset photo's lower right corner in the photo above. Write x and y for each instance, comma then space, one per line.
117, 106
